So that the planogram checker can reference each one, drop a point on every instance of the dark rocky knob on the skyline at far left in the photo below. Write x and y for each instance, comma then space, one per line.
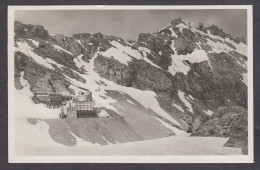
30, 31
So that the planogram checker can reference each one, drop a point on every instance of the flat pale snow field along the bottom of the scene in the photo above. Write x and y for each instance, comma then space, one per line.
173, 145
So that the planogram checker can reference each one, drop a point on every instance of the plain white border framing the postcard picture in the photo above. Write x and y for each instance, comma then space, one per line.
128, 159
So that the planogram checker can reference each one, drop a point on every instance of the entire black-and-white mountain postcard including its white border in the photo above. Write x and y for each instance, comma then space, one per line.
122, 84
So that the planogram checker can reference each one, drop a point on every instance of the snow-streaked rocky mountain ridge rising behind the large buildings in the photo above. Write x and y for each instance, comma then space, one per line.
191, 71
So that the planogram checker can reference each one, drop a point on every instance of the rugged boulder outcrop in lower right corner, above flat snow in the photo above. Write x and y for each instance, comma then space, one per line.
226, 122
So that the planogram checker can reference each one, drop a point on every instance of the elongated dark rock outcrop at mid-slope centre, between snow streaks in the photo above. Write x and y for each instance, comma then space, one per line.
138, 74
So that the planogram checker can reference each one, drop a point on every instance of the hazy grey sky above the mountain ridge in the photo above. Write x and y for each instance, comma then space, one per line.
128, 24
